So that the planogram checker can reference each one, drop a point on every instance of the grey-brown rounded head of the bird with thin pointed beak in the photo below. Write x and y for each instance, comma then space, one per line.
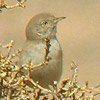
42, 26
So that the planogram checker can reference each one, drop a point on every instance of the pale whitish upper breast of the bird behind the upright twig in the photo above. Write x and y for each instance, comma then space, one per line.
37, 51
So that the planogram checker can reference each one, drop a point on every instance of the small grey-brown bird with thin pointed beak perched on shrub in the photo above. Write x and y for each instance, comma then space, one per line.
39, 28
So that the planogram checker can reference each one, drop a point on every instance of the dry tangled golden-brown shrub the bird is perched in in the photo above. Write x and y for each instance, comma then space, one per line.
13, 87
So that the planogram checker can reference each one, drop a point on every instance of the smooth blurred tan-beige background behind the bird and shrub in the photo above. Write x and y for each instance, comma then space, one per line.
79, 34
